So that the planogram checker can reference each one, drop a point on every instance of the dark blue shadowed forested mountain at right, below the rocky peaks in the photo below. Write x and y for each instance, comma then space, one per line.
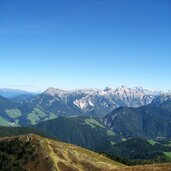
149, 121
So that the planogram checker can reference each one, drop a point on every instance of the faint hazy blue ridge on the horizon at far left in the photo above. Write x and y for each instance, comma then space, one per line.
9, 93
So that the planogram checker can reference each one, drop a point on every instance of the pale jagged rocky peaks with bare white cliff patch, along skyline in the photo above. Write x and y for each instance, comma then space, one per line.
92, 101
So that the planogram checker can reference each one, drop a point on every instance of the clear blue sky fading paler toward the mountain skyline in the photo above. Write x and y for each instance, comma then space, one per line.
85, 43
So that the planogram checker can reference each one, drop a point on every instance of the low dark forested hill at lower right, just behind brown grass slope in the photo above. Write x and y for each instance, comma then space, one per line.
138, 150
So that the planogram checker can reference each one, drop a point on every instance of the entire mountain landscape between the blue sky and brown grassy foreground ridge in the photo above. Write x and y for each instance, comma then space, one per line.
128, 125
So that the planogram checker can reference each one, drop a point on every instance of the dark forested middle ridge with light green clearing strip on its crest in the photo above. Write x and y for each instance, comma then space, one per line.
84, 131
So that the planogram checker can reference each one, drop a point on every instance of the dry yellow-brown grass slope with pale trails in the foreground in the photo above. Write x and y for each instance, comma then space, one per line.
58, 156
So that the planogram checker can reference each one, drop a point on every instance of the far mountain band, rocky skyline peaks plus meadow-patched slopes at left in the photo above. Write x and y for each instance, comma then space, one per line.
28, 109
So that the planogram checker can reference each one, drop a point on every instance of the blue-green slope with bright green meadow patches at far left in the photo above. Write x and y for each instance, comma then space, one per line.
13, 113
